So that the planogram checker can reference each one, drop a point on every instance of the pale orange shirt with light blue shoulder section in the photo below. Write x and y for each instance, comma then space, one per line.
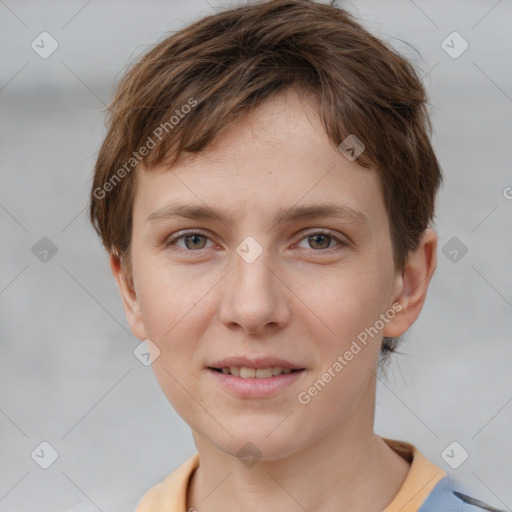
427, 488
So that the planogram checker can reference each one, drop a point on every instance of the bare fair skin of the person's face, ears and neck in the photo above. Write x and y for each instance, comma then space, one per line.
304, 299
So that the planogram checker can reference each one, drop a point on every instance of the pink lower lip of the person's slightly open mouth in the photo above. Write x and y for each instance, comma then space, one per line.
255, 388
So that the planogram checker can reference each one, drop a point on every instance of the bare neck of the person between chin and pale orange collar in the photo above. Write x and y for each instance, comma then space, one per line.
349, 468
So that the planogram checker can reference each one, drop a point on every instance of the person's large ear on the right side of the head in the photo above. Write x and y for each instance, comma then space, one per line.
412, 284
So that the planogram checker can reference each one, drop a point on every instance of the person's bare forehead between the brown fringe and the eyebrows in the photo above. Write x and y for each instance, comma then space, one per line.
277, 157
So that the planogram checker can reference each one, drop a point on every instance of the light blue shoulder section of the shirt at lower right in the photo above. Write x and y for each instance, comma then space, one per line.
449, 495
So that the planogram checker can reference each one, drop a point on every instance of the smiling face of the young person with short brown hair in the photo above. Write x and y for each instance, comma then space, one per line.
274, 273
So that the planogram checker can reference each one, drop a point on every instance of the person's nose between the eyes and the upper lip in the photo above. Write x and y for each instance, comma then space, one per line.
255, 297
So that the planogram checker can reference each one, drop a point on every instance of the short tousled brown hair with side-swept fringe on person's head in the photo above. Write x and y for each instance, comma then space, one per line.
226, 64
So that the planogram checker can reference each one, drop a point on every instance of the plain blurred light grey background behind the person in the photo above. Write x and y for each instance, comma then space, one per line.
68, 375
